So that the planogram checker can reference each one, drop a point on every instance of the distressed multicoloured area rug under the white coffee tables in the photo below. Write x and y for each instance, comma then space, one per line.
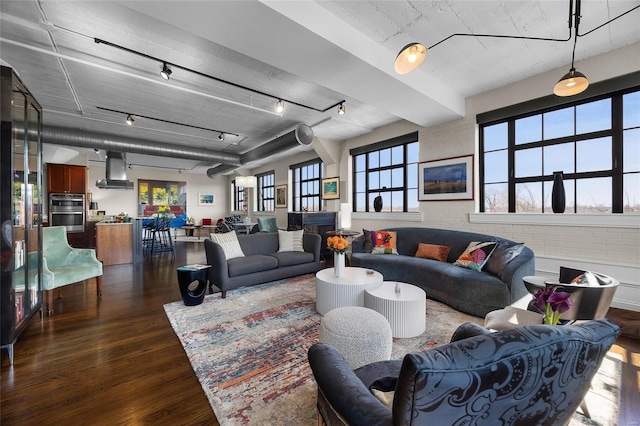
249, 352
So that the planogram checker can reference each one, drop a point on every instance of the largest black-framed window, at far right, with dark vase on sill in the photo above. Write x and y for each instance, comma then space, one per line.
595, 144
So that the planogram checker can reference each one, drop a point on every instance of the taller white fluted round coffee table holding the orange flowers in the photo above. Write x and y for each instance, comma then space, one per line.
333, 292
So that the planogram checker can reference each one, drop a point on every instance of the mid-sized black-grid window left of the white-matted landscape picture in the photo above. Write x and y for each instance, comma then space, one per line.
386, 176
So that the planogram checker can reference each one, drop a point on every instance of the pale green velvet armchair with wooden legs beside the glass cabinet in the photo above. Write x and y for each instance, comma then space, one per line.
65, 264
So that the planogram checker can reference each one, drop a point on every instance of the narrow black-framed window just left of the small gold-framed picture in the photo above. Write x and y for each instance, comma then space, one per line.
306, 185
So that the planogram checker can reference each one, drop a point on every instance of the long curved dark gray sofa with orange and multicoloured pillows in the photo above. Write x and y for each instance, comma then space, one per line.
466, 290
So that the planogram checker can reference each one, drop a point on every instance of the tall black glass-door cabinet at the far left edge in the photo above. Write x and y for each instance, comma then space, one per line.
20, 208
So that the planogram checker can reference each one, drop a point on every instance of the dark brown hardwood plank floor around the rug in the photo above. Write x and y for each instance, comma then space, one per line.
117, 361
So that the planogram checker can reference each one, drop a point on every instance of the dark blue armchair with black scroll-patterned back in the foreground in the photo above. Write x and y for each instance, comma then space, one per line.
531, 375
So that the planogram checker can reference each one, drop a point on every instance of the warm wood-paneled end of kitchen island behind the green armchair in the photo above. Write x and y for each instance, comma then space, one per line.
114, 243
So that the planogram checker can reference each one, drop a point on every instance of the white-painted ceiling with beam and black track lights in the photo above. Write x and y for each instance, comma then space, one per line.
315, 53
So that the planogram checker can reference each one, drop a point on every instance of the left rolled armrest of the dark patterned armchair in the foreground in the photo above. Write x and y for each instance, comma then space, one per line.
346, 393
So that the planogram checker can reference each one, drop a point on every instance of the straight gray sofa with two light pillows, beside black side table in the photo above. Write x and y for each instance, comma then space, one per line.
261, 262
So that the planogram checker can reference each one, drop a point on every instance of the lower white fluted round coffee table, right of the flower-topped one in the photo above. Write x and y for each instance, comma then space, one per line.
405, 311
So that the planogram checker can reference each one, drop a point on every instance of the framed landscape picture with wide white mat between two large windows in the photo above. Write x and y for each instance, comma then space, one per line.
446, 179
